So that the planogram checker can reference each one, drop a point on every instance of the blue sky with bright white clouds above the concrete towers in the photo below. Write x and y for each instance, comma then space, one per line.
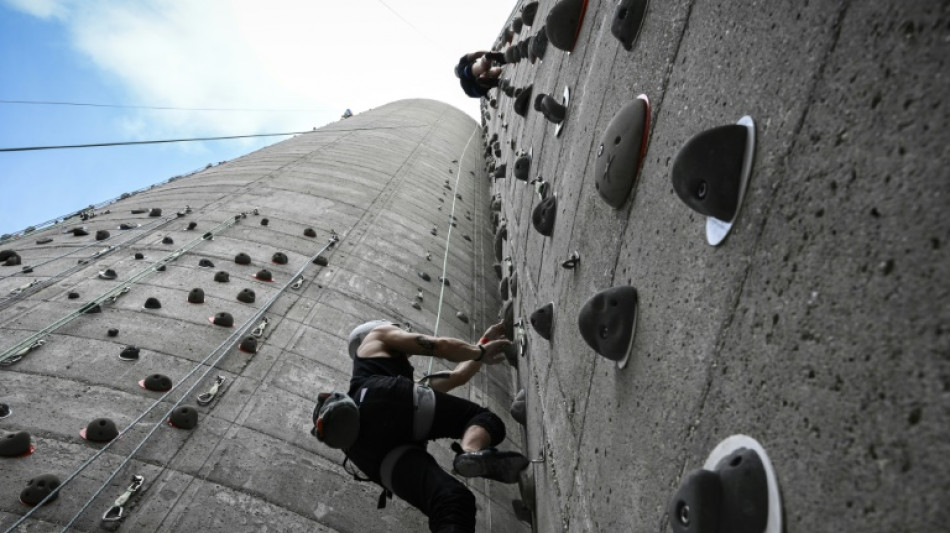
289, 54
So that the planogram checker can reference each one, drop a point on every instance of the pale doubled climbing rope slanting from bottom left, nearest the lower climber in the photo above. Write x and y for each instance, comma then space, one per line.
222, 349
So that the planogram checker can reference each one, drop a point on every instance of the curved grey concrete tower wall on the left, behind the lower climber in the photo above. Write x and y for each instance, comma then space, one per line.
381, 181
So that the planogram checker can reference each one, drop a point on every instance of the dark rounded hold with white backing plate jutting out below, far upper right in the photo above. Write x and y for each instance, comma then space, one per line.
710, 174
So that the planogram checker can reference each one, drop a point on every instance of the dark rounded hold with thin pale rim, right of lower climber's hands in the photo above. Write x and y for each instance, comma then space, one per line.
608, 322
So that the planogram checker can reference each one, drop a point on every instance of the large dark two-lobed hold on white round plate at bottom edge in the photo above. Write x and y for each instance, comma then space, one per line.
736, 490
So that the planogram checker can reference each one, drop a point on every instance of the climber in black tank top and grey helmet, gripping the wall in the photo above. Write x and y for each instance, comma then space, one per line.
385, 419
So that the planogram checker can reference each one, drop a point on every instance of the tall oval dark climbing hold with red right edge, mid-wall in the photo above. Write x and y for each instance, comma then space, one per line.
621, 152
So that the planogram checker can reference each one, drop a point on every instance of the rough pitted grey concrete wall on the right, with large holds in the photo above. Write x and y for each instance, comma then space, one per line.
819, 327
